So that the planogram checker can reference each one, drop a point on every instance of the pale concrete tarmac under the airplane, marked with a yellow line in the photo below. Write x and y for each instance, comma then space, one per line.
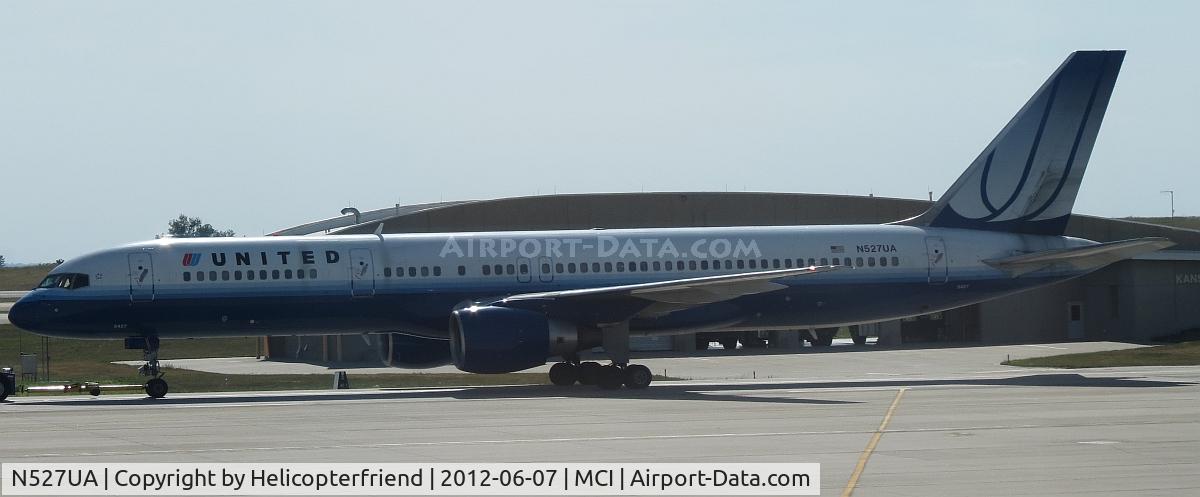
959, 424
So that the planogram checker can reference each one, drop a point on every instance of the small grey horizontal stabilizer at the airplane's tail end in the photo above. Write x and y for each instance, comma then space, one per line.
1081, 259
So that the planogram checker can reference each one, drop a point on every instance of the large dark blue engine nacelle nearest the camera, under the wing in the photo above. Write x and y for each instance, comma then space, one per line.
499, 340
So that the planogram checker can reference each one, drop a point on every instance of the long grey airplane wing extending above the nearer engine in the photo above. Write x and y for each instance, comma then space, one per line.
656, 298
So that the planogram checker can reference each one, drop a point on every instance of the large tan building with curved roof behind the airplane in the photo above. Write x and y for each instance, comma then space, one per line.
1151, 296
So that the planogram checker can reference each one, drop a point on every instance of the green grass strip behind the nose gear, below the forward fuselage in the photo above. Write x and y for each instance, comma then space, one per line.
91, 361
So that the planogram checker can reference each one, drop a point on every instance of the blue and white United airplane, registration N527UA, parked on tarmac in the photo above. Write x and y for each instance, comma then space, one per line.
507, 302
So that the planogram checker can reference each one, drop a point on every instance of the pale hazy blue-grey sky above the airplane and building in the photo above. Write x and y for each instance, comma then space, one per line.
117, 117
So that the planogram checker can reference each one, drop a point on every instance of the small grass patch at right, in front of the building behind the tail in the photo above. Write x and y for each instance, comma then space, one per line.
1175, 355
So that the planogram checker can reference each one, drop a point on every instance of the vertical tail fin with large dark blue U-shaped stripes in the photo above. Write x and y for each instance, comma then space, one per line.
1027, 179
